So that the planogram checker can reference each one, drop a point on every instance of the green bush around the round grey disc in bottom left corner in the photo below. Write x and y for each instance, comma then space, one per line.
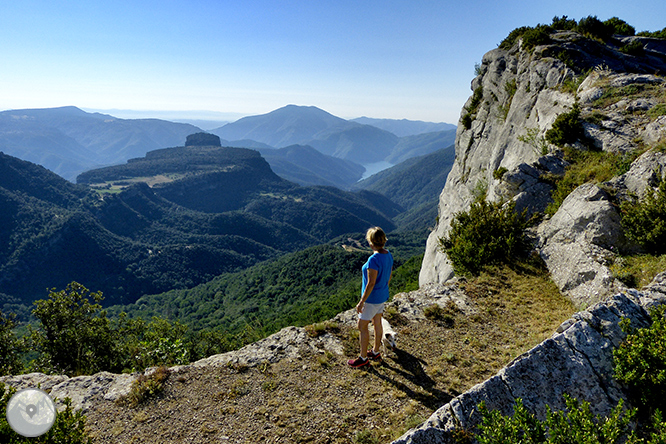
68, 428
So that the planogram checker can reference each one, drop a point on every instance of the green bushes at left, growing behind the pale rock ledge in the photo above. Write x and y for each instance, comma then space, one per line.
76, 337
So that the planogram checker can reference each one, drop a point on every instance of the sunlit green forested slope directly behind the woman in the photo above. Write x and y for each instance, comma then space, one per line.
296, 289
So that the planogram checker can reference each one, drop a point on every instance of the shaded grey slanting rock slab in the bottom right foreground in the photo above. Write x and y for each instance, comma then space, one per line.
576, 360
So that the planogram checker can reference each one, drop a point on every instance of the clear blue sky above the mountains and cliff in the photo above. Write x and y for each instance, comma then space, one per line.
410, 59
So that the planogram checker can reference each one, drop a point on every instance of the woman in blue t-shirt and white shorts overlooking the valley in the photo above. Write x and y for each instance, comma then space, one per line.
374, 294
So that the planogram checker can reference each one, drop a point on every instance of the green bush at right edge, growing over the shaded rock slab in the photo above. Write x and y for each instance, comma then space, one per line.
640, 361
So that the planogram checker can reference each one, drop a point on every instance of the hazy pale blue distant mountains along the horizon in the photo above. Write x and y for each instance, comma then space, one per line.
69, 141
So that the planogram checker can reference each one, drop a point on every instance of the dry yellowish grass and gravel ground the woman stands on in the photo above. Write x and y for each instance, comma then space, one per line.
318, 399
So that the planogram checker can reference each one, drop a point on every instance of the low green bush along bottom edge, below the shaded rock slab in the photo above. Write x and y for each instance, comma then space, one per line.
576, 424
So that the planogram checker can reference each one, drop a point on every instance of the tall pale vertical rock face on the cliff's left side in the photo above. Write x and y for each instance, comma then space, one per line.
508, 132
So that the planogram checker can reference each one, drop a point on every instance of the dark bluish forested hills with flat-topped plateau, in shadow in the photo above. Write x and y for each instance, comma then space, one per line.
216, 210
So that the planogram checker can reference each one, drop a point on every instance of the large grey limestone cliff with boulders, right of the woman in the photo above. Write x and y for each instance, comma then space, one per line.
501, 149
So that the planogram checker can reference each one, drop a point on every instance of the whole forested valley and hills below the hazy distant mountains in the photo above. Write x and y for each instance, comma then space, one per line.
191, 251
